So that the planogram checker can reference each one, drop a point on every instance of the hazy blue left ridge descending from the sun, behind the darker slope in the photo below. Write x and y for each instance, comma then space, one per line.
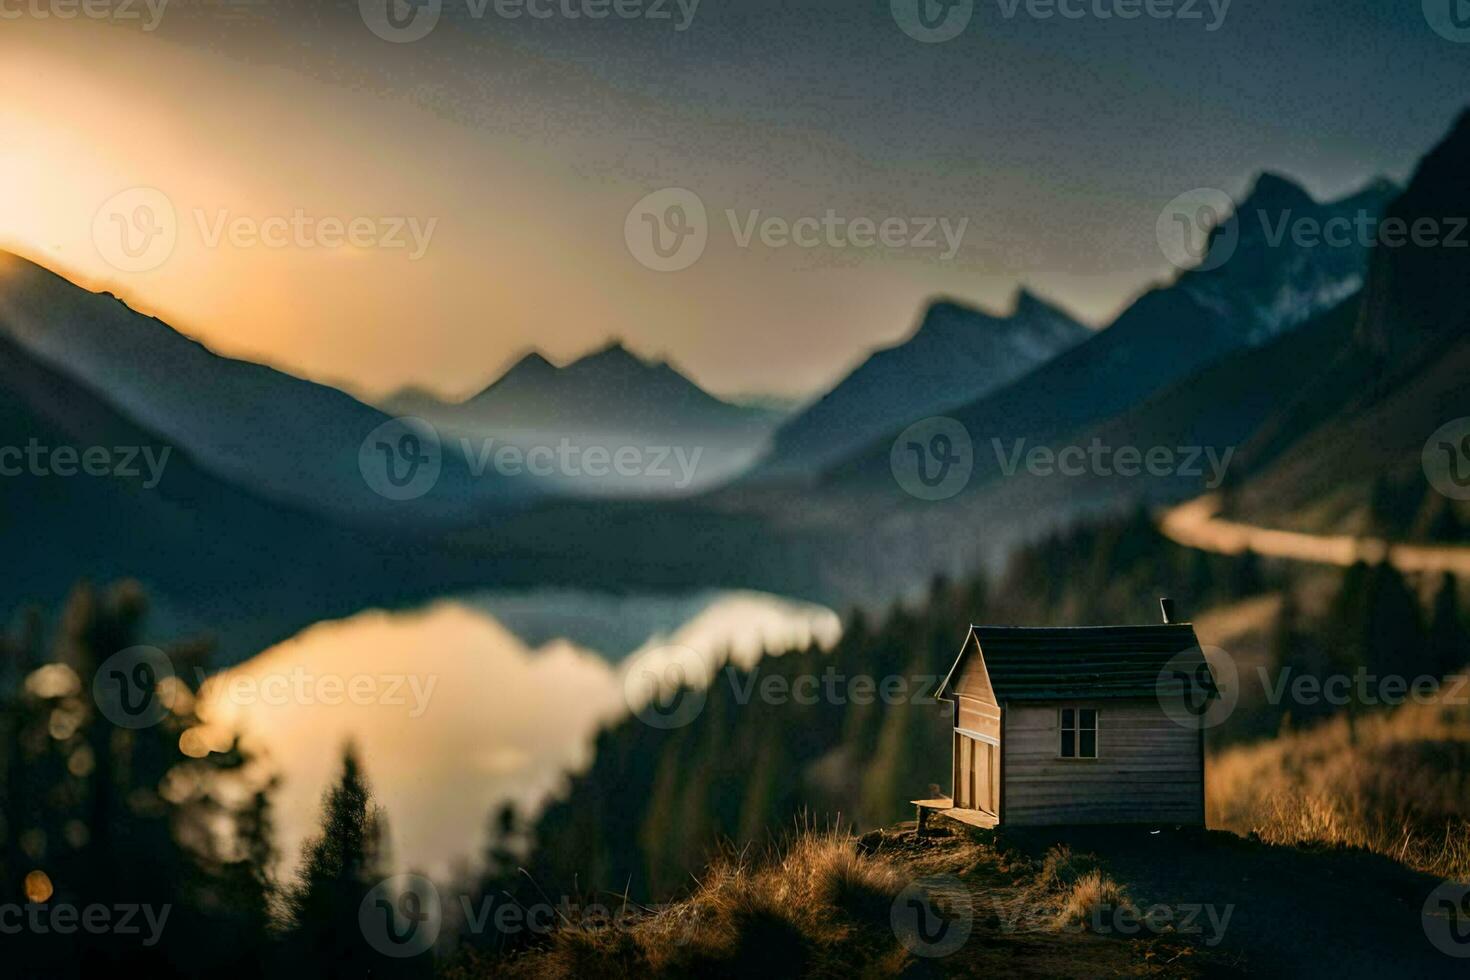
284, 439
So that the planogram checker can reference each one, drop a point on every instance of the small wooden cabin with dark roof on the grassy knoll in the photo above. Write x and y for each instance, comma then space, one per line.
1080, 727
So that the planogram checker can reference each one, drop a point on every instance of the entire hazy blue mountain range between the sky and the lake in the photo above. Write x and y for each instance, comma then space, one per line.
1325, 368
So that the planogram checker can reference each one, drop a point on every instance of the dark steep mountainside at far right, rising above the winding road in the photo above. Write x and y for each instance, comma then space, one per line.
1362, 424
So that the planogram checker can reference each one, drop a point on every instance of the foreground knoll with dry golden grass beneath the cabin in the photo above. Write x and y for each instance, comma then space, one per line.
983, 904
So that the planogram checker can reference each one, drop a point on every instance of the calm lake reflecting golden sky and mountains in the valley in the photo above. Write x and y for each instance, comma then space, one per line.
476, 700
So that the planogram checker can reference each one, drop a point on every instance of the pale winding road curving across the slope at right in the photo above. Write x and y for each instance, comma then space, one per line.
1196, 525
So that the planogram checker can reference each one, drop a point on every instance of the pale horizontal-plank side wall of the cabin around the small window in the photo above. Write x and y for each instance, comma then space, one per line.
1149, 769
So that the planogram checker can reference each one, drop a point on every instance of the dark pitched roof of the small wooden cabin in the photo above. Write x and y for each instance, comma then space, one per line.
1027, 663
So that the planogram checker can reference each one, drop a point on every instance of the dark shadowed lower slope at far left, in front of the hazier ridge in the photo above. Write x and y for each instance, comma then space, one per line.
211, 553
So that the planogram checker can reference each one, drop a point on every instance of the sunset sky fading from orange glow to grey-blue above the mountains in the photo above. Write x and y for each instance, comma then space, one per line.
296, 183
